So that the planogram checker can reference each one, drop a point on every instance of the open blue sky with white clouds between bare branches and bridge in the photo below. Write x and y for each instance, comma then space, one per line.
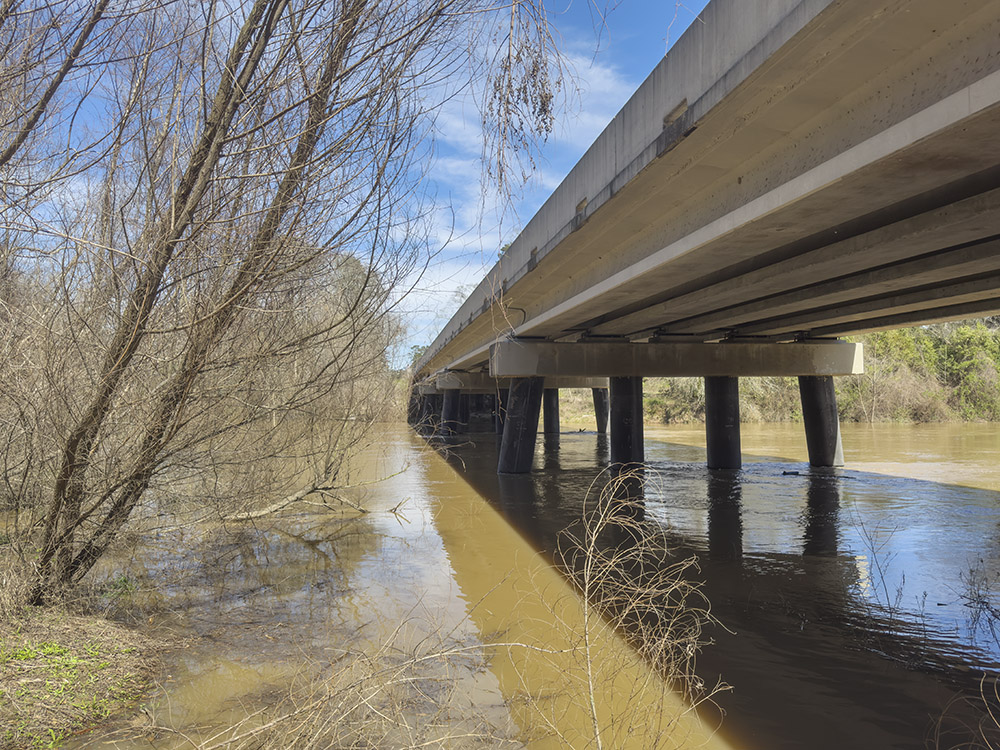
609, 60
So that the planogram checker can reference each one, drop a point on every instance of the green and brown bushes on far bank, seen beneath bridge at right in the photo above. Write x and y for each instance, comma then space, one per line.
937, 373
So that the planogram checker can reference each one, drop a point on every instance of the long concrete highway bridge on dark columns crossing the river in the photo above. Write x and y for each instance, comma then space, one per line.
792, 172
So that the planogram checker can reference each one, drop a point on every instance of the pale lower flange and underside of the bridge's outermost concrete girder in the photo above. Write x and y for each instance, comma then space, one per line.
828, 192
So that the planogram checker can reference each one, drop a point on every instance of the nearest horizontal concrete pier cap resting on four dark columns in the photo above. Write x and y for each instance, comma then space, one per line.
622, 359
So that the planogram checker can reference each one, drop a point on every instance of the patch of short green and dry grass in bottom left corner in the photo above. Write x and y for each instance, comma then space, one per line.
62, 673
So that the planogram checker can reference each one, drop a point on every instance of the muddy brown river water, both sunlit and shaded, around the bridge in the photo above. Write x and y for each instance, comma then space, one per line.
855, 605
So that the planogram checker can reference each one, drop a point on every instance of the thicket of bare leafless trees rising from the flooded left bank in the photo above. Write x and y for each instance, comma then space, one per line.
206, 231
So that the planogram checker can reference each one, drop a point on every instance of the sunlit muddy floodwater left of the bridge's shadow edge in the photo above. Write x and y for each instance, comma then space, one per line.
444, 583
